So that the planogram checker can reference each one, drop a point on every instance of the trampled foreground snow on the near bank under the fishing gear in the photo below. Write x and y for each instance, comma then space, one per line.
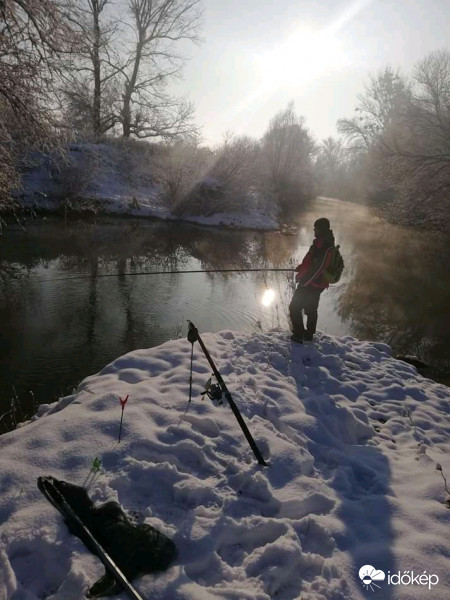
357, 444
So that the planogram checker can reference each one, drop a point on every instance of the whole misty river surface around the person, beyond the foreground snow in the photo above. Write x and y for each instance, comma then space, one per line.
57, 330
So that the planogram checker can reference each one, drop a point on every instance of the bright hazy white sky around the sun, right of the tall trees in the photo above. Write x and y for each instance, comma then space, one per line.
258, 55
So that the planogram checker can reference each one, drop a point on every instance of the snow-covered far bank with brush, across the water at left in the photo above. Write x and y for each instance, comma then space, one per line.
100, 179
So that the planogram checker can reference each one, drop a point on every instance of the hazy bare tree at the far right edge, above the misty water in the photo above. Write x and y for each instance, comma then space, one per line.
418, 160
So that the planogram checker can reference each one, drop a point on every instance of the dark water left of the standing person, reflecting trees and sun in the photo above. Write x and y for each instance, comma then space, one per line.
60, 327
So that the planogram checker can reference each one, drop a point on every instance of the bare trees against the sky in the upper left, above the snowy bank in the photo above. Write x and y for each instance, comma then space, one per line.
79, 69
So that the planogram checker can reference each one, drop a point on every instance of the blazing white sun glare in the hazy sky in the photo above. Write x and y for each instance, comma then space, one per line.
302, 57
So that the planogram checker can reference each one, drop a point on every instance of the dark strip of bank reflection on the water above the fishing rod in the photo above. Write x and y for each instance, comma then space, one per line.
92, 248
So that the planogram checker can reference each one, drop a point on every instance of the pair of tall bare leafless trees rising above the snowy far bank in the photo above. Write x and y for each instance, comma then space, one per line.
126, 56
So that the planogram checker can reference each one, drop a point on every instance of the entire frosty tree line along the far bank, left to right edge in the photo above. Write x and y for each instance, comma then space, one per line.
86, 70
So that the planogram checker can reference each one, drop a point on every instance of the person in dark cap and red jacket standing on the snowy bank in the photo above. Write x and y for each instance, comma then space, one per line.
311, 282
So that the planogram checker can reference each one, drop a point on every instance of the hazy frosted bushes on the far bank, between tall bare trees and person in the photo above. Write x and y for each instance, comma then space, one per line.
274, 172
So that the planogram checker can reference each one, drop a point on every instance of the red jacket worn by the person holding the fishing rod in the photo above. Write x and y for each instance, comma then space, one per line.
316, 261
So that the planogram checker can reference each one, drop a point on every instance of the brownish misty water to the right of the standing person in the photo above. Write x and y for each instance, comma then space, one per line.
399, 291
